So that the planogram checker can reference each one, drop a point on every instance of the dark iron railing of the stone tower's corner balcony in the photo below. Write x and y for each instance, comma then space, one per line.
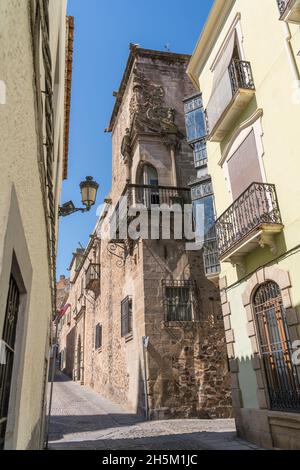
156, 195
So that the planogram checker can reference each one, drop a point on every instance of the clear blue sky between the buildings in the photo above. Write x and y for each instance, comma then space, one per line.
103, 32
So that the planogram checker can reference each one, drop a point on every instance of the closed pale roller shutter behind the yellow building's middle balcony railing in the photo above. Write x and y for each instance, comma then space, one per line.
243, 166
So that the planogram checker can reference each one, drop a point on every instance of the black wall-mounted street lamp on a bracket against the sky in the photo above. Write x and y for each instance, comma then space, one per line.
88, 189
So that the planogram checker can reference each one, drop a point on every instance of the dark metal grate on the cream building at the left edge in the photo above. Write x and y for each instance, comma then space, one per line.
8, 342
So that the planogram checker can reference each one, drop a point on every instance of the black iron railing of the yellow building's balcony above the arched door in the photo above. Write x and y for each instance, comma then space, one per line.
258, 205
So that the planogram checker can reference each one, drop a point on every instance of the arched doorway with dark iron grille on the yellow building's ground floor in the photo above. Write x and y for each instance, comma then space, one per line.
276, 349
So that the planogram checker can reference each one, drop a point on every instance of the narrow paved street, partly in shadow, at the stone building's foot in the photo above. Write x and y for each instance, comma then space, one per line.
81, 419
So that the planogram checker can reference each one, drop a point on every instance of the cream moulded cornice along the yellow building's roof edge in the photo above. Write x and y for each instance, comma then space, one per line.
217, 17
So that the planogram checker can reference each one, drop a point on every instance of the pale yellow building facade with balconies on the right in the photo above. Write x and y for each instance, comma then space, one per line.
247, 66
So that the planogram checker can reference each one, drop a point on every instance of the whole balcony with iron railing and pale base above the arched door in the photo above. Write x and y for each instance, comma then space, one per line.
251, 221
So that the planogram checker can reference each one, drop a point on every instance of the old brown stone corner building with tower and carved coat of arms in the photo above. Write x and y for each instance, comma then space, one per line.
148, 325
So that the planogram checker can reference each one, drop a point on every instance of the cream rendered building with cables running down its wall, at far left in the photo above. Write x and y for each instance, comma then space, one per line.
35, 65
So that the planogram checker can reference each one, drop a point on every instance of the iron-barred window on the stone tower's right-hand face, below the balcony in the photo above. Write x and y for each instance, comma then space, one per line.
179, 299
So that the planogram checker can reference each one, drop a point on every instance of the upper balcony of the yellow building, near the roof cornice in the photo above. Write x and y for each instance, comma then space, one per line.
231, 96
